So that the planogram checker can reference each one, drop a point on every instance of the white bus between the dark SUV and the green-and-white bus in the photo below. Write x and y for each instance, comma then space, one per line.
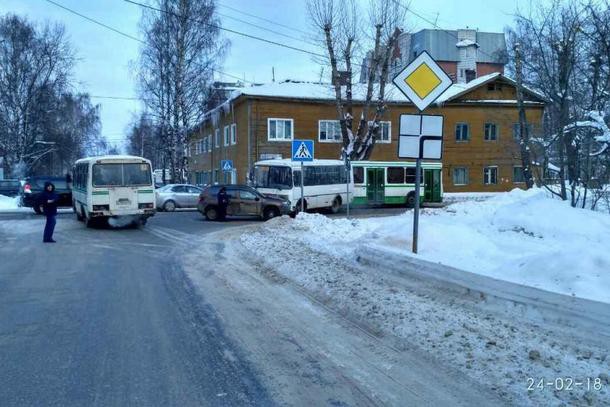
325, 182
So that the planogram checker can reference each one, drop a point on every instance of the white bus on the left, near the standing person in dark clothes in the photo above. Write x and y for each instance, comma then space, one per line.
112, 187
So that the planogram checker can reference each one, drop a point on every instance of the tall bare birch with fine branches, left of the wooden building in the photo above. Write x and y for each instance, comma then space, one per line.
182, 48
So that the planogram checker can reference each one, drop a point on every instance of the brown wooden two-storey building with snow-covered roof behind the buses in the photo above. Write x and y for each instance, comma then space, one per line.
480, 153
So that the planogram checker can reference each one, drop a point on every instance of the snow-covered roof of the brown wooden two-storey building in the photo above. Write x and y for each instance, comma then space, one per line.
325, 91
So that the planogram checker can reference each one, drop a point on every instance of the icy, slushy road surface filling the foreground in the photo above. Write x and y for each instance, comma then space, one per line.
181, 313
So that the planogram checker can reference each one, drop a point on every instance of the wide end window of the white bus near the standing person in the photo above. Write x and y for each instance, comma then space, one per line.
122, 174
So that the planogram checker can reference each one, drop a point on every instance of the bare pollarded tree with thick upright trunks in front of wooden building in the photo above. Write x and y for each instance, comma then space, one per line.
340, 25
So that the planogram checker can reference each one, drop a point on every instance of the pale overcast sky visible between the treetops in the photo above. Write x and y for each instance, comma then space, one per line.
106, 59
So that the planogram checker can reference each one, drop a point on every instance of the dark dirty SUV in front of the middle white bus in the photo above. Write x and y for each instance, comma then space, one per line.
243, 201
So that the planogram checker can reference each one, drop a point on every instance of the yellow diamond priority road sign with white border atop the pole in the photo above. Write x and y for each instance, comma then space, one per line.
422, 81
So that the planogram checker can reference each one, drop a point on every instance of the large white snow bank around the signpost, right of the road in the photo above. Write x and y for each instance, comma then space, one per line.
521, 236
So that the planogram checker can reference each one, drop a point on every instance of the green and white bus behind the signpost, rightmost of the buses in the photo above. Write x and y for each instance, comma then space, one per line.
381, 182
